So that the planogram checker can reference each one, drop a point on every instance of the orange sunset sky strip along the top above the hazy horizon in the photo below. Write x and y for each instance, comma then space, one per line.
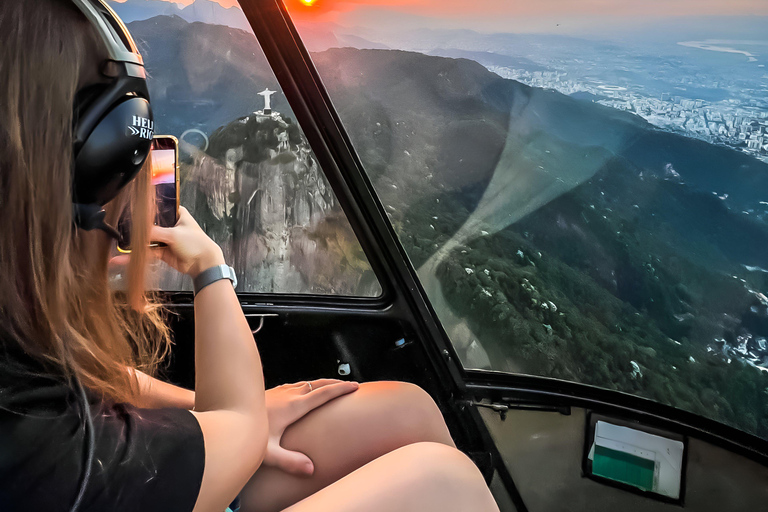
563, 16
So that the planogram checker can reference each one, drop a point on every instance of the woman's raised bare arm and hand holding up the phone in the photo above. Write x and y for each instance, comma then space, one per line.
229, 385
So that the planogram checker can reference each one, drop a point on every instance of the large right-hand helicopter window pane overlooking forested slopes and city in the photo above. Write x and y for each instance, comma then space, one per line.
584, 195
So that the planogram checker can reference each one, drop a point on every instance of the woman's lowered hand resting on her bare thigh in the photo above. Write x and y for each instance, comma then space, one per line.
289, 403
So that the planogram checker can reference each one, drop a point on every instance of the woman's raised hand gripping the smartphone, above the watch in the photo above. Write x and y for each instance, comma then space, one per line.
188, 249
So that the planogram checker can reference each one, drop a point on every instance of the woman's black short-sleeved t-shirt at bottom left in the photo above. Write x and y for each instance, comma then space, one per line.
145, 459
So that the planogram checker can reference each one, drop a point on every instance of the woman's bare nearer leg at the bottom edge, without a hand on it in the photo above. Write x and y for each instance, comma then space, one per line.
422, 477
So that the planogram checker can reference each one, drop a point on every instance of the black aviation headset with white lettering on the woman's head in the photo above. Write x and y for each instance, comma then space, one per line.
113, 122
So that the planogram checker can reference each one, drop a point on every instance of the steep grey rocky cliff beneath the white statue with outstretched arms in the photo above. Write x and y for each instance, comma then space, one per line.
258, 190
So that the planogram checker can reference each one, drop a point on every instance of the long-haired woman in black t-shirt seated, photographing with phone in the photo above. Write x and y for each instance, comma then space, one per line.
84, 426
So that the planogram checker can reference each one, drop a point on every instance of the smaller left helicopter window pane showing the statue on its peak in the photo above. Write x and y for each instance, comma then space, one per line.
247, 173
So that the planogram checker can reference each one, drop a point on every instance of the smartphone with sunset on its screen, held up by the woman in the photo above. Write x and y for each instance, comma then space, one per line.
164, 164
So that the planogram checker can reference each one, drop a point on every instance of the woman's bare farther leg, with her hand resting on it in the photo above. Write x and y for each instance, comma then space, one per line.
345, 434
